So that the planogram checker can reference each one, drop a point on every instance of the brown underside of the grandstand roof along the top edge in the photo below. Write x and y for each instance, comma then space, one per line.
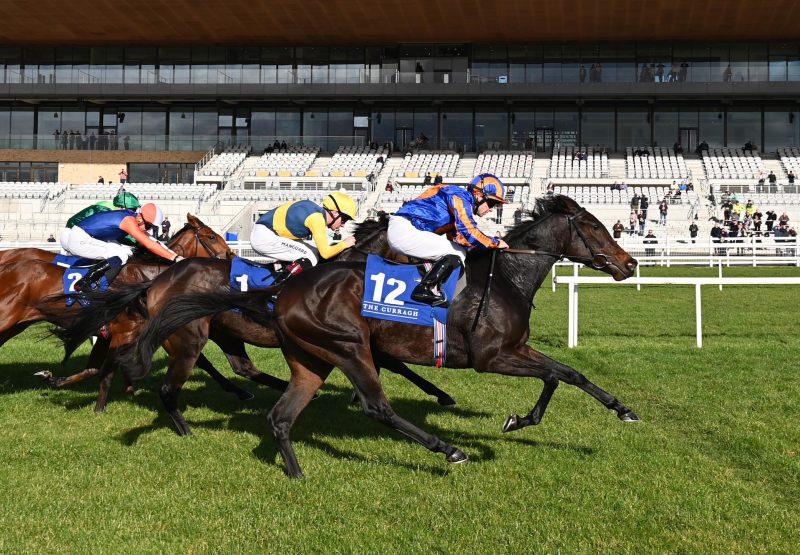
364, 22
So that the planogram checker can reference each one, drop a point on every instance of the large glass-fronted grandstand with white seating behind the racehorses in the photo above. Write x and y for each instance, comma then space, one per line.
198, 93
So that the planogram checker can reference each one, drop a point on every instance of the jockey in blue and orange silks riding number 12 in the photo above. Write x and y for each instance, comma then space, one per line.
418, 229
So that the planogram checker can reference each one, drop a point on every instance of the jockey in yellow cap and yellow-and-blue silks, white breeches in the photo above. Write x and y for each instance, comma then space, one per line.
283, 233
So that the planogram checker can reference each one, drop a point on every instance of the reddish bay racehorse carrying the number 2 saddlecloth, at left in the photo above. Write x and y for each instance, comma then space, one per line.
33, 278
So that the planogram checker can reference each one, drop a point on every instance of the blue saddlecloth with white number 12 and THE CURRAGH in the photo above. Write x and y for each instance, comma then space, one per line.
387, 293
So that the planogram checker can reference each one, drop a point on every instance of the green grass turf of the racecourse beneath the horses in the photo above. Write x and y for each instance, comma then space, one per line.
714, 466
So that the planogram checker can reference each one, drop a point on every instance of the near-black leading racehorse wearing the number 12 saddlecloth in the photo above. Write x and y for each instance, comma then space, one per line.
318, 318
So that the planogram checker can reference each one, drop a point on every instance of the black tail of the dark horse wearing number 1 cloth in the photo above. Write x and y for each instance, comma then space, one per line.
103, 307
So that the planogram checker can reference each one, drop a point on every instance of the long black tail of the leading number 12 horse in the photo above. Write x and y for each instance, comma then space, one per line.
135, 359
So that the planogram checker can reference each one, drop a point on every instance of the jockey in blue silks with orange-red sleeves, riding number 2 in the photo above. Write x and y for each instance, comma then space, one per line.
98, 236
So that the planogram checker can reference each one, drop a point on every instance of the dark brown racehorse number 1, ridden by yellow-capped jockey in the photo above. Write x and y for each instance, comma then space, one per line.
206, 275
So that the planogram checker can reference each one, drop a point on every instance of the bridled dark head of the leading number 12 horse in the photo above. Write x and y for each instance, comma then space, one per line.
575, 234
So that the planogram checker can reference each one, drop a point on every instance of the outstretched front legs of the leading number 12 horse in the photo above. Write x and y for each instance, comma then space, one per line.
525, 362
